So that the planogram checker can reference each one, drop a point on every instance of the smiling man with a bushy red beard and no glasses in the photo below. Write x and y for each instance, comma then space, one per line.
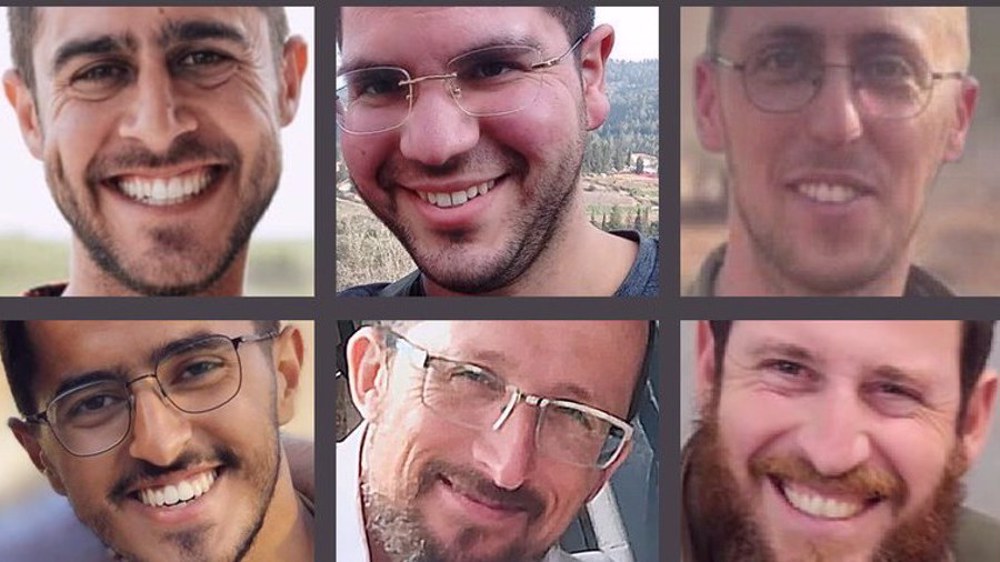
838, 441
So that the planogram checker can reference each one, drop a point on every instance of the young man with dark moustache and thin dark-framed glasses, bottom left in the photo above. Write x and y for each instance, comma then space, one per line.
164, 435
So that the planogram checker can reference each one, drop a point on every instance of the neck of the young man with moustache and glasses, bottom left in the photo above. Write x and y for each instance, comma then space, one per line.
287, 531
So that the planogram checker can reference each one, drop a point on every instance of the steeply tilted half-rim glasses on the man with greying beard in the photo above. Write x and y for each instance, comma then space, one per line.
471, 396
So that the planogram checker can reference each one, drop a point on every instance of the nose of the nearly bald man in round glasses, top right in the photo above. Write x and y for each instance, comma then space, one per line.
834, 115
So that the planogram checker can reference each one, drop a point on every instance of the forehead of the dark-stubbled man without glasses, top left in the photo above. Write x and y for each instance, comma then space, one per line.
58, 25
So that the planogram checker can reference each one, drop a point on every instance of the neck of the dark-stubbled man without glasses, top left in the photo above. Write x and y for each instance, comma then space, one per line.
88, 279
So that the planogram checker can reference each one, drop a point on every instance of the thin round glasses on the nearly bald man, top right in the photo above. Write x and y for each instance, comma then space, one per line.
886, 85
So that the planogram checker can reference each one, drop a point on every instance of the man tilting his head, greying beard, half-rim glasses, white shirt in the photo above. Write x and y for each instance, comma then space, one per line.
483, 440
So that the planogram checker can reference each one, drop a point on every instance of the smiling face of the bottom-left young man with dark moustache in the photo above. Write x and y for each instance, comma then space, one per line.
180, 486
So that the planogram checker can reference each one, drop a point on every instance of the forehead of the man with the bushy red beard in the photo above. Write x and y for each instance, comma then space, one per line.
930, 347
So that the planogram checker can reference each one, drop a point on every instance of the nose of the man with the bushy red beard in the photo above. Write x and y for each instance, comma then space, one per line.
834, 437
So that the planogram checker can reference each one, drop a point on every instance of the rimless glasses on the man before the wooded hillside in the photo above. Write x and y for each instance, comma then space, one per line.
485, 82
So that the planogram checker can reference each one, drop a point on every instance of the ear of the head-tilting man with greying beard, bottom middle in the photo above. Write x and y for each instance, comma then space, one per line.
366, 373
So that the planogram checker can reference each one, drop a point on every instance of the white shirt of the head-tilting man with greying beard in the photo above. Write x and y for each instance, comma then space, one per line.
352, 540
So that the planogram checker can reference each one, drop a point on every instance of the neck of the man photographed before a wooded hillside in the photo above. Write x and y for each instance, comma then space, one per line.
566, 267
